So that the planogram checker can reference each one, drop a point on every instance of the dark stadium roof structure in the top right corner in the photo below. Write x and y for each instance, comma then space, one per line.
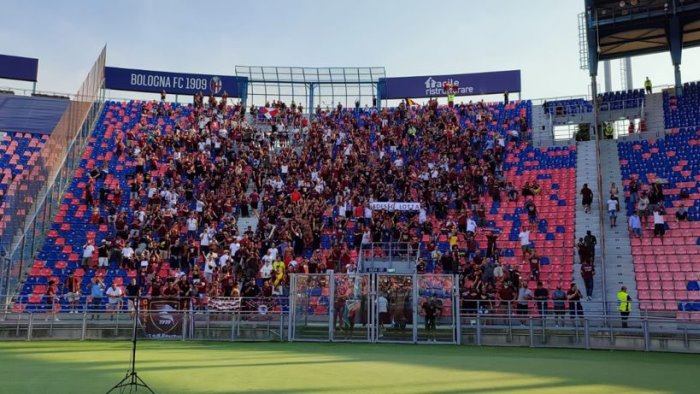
624, 28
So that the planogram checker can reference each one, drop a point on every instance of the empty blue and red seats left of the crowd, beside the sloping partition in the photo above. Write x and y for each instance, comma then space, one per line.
71, 228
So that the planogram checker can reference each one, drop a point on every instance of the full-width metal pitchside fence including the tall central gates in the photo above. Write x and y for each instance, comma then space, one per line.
354, 312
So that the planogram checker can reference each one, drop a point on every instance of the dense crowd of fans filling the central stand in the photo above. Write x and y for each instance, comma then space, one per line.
310, 185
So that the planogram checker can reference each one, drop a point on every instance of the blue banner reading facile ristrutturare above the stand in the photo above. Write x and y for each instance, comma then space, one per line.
462, 85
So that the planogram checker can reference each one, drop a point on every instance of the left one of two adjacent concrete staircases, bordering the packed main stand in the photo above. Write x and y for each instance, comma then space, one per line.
586, 171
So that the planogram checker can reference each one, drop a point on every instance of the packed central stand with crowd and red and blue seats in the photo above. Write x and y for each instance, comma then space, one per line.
148, 163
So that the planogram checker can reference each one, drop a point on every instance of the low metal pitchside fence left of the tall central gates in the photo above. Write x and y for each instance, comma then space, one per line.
190, 318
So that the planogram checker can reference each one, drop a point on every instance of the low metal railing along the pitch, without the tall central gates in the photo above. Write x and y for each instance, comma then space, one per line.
494, 323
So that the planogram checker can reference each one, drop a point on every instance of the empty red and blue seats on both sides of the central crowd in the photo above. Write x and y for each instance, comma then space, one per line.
553, 168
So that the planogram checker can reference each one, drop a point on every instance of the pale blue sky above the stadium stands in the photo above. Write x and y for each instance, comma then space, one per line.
408, 37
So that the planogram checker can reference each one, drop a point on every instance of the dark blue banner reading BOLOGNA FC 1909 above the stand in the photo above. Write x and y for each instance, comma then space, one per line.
173, 83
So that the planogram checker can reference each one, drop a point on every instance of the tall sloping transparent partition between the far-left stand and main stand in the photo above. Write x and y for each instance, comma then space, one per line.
36, 200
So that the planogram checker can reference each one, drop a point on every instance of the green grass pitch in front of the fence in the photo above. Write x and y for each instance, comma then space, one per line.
213, 367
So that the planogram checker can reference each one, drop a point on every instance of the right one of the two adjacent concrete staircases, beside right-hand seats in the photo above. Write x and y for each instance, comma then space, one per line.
619, 268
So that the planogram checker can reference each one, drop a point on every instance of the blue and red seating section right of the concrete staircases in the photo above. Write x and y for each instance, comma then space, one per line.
665, 266
